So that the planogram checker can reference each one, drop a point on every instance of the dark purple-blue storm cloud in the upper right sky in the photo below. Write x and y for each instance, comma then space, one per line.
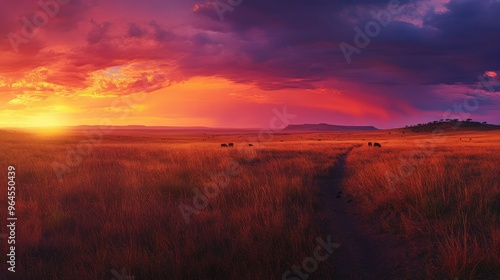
451, 47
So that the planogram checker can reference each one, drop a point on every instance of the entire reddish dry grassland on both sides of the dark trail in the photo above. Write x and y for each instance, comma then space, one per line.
133, 202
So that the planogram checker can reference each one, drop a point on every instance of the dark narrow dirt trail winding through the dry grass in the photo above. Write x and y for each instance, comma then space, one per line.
364, 253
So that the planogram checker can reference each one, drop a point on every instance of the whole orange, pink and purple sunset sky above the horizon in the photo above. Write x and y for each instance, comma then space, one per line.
176, 63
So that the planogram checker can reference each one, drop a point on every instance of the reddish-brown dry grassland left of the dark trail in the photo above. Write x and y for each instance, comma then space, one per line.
119, 206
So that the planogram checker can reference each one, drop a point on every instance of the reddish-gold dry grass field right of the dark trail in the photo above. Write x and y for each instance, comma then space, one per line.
442, 193
